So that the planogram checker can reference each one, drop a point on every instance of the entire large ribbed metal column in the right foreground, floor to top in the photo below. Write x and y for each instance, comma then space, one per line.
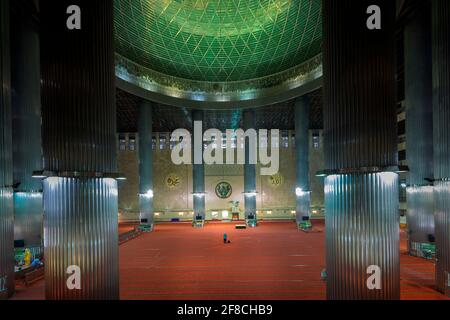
362, 219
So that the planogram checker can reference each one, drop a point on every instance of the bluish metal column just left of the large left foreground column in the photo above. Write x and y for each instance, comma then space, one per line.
26, 102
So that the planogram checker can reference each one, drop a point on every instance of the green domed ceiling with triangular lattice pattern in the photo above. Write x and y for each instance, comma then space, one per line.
218, 40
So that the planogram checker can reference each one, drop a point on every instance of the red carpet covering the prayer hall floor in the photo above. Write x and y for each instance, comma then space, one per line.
273, 261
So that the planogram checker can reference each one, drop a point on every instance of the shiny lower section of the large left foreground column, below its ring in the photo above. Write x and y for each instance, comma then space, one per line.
81, 239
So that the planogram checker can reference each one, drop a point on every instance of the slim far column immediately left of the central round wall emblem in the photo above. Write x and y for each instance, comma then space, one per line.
198, 170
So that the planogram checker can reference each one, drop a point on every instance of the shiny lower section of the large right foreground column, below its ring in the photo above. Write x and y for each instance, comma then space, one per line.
362, 236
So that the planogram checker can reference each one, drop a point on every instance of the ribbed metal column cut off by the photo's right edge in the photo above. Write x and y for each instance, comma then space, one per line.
441, 115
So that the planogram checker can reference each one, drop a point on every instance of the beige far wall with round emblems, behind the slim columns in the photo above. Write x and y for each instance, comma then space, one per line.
173, 186
